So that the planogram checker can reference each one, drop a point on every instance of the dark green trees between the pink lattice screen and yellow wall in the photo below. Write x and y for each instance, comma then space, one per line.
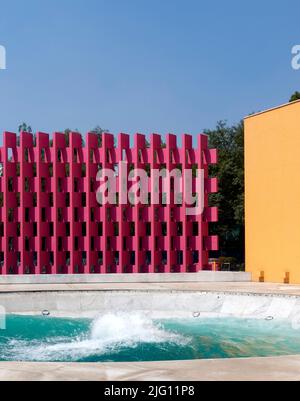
230, 199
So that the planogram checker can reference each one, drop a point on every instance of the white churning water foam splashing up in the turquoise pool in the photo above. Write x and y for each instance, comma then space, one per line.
109, 333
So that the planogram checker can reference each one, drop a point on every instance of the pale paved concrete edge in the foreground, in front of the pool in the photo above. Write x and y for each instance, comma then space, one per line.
255, 369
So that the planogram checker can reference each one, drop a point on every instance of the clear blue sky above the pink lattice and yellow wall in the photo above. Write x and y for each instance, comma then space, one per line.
144, 66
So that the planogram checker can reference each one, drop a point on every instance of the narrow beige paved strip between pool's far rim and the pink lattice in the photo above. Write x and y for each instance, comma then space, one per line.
242, 288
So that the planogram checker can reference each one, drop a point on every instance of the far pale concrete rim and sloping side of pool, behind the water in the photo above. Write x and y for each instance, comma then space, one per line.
245, 300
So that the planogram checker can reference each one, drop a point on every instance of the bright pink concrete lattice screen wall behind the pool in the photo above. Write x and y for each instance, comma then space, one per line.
51, 223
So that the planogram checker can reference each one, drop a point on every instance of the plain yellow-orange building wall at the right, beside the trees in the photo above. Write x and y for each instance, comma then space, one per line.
272, 146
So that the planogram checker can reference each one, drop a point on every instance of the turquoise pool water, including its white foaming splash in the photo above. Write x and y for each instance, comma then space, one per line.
134, 337
